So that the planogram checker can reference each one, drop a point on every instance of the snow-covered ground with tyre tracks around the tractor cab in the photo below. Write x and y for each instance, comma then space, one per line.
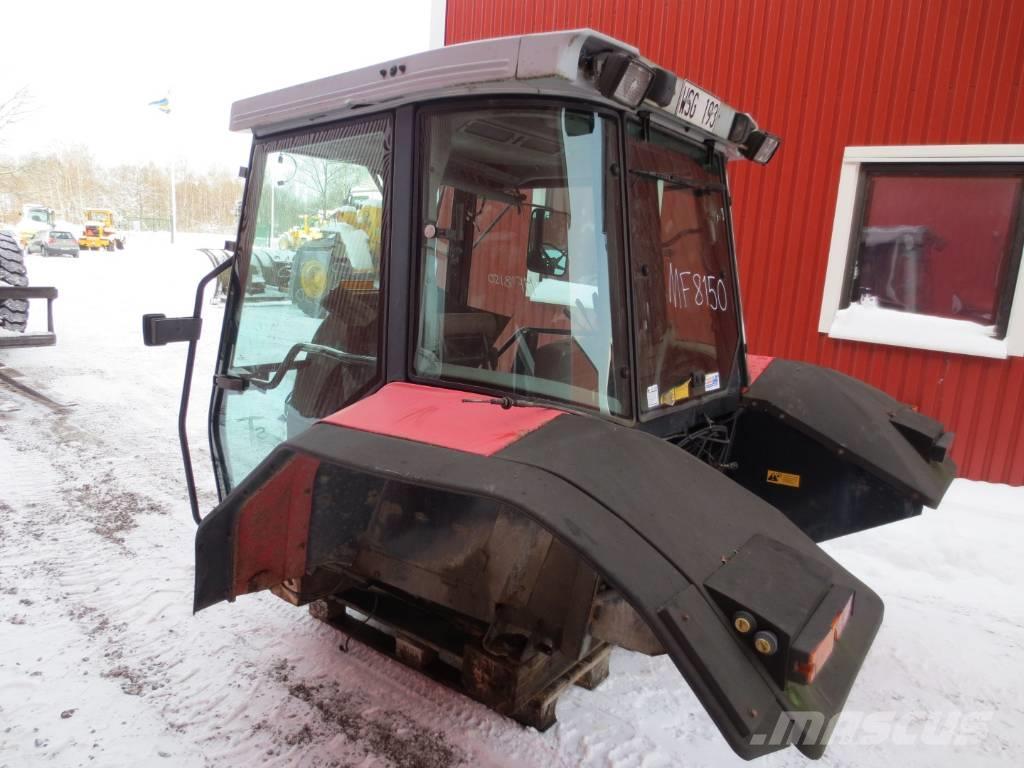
102, 663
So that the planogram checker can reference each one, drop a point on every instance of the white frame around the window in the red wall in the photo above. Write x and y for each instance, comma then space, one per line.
919, 331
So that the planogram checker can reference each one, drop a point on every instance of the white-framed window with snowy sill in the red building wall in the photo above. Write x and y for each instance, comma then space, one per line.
927, 249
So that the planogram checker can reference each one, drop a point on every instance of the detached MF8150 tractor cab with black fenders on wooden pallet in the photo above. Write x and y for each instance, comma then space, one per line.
519, 425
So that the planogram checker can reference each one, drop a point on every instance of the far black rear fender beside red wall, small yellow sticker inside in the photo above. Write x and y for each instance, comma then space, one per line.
834, 454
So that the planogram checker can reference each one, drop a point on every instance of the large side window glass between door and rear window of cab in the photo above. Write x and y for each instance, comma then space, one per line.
522, 255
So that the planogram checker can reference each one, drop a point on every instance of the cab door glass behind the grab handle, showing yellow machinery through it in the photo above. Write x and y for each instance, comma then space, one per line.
309, 307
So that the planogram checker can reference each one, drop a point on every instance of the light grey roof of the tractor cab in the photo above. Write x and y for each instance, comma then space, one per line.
546, 64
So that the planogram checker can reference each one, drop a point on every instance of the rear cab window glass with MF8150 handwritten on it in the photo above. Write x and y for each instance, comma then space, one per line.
688, 328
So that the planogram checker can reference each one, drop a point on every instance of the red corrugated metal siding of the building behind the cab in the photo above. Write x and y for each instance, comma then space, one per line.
828, 75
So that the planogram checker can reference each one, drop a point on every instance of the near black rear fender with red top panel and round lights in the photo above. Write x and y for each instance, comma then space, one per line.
684, 544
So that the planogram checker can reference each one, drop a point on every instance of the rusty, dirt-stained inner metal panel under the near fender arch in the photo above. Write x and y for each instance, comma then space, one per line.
472, 556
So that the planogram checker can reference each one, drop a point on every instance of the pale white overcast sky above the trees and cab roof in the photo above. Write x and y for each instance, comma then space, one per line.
94, 67
